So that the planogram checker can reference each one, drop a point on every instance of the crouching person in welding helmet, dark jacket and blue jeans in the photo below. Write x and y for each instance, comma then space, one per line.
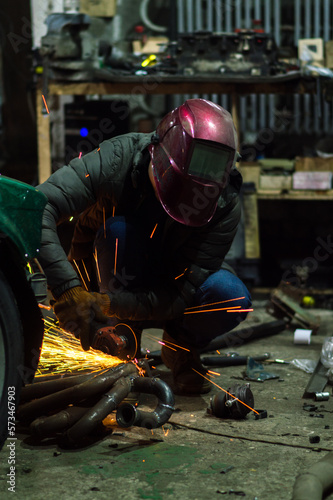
156, 213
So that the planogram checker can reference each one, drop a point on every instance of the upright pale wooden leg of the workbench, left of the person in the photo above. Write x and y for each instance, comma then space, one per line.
43, 139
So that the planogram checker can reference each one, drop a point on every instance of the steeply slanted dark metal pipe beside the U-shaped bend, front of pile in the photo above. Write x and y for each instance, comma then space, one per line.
101, 410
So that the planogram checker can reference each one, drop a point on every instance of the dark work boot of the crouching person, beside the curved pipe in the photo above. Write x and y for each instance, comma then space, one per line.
187, 370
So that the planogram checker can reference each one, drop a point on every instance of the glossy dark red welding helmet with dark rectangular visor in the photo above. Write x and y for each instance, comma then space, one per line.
192, 153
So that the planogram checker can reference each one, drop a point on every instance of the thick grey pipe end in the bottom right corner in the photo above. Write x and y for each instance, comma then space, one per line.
318, 478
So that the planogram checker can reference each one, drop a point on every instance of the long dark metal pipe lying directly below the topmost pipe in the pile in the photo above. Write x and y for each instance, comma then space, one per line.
96, 385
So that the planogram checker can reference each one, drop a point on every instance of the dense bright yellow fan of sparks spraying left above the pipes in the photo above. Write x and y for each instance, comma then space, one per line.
62, 353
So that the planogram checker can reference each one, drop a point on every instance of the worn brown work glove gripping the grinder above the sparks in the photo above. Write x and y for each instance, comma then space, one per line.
76, 309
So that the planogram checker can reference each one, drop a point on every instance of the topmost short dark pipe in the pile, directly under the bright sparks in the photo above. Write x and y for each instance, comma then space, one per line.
41, 389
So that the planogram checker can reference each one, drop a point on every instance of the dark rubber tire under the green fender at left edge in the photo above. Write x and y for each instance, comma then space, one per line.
11, 352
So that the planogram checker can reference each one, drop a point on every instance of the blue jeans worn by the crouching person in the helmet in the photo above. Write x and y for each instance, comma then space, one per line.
128, 258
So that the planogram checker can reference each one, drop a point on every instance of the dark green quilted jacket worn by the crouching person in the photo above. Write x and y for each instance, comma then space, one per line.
114, 179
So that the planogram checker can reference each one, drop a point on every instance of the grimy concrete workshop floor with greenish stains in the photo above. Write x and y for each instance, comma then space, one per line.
195, 455
